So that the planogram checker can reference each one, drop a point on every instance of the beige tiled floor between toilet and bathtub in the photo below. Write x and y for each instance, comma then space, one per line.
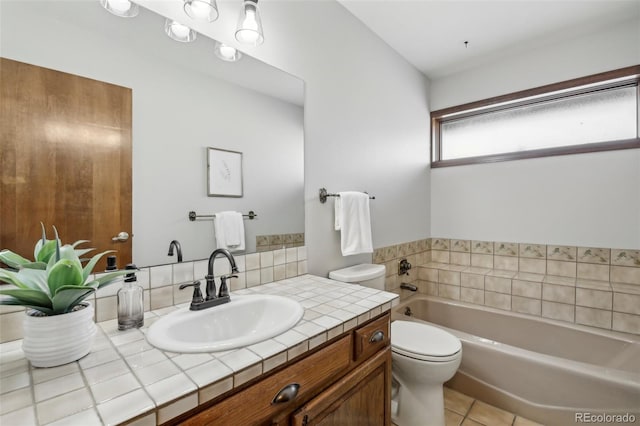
462, 410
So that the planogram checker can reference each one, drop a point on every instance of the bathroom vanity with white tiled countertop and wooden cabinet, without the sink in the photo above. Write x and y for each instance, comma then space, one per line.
332, 368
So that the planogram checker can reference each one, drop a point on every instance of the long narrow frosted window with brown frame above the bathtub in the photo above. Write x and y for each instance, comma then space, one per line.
584, 115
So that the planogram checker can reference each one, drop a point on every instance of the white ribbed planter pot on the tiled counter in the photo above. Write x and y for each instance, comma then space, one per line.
50, 341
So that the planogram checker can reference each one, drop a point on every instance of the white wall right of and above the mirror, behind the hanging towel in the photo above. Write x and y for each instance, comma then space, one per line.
366, 118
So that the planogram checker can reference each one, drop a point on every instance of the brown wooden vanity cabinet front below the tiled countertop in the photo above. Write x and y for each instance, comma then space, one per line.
345, 382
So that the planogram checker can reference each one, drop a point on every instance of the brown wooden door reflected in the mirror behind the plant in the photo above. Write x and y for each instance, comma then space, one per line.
65, 159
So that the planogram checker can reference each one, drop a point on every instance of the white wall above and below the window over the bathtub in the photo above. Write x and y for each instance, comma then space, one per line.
586, 199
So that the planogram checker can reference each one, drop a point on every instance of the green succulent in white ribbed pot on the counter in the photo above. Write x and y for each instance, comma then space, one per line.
59, 326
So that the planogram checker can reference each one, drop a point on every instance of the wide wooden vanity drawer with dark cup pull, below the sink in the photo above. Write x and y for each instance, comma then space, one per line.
255, 405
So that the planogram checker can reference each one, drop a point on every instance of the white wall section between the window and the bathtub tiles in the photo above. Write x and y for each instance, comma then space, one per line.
588, 200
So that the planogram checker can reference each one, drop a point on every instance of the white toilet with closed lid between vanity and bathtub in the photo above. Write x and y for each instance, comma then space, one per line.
423, 358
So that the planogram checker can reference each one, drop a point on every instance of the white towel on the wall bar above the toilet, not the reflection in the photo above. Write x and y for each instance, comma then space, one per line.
353, 220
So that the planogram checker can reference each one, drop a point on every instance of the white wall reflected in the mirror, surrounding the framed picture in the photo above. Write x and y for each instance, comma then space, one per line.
177, 114
